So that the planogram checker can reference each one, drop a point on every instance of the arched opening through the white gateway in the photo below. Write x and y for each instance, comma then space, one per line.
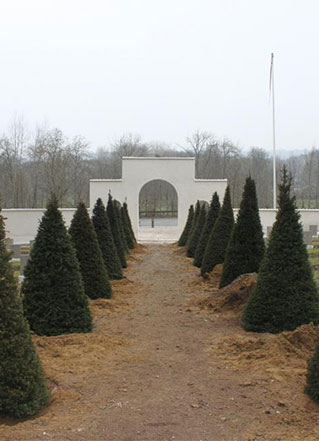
158, 205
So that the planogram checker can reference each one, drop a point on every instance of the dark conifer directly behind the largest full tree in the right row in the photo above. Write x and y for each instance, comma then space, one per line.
246, 246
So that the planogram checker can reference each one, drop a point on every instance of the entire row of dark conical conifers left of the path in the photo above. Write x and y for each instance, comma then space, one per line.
64, 270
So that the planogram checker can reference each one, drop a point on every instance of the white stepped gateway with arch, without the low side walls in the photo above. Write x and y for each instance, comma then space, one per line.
136, 172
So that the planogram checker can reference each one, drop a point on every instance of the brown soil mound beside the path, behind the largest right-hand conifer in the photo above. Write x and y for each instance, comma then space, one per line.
232, 297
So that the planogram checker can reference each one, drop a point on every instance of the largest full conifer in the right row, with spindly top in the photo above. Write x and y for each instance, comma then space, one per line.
285, 295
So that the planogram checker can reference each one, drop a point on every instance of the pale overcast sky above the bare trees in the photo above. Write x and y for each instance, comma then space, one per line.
163, 68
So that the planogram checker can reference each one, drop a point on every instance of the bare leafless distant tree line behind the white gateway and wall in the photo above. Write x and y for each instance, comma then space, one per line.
34, 166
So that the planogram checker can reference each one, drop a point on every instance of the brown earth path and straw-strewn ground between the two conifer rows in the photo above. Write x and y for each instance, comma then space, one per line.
157, 367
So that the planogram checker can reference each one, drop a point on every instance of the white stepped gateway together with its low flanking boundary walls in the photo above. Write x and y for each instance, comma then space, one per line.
22, 223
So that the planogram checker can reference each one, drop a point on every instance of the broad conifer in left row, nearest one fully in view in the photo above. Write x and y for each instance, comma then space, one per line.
54, 298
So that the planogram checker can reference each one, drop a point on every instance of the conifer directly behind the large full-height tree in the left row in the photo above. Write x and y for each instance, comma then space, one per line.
94, 274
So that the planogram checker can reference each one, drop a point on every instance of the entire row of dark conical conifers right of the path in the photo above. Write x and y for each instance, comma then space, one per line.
285, 295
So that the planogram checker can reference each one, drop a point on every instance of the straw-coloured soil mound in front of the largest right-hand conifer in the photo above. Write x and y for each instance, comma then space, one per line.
270, 352
